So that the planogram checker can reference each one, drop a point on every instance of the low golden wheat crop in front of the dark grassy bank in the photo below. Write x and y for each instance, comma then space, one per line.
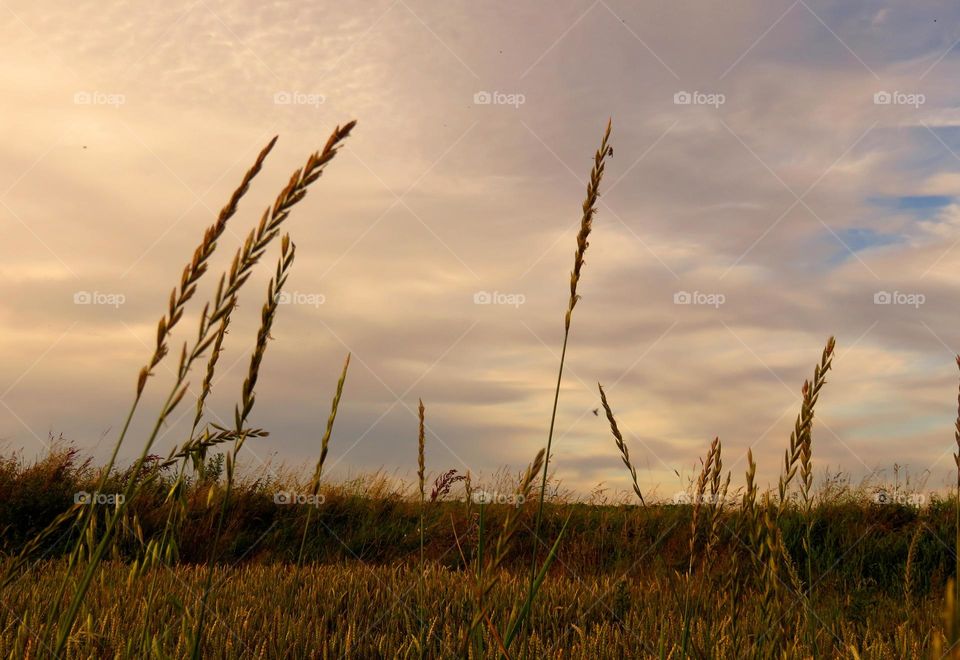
356, 609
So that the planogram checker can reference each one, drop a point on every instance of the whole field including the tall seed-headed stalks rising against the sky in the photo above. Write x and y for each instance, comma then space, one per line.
183, 556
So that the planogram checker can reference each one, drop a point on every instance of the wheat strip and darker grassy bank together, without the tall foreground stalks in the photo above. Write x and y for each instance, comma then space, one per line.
616, 589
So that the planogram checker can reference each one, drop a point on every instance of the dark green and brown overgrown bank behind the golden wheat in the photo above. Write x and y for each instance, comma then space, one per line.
857, 540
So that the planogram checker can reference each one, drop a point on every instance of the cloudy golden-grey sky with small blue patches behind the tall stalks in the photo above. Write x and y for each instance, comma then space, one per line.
790, 170
